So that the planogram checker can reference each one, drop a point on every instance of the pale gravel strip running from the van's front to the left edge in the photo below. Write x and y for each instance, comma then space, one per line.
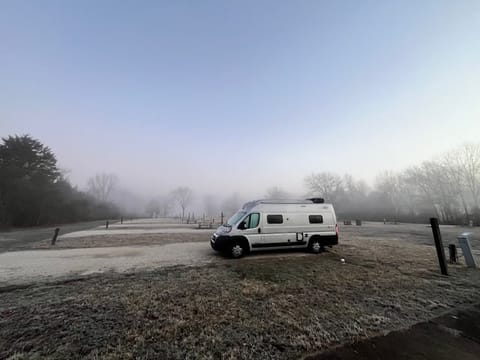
27, 266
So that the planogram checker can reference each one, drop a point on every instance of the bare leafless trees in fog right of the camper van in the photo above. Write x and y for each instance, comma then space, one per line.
447, 187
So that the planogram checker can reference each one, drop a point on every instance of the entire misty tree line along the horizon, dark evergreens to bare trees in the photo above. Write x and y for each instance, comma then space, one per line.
34, 191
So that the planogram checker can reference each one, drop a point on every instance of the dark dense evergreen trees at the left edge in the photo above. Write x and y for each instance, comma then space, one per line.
33, 190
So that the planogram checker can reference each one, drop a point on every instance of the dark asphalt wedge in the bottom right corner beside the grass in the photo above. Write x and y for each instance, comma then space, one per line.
453, 336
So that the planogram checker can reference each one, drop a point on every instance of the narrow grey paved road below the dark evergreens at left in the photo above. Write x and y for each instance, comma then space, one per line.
15, 239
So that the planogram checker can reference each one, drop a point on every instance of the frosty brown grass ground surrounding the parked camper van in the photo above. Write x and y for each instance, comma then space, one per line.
273, 305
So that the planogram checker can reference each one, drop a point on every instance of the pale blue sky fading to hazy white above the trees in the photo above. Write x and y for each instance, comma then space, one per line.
238, 96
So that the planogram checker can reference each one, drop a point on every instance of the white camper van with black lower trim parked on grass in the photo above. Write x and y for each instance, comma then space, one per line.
278, 224
